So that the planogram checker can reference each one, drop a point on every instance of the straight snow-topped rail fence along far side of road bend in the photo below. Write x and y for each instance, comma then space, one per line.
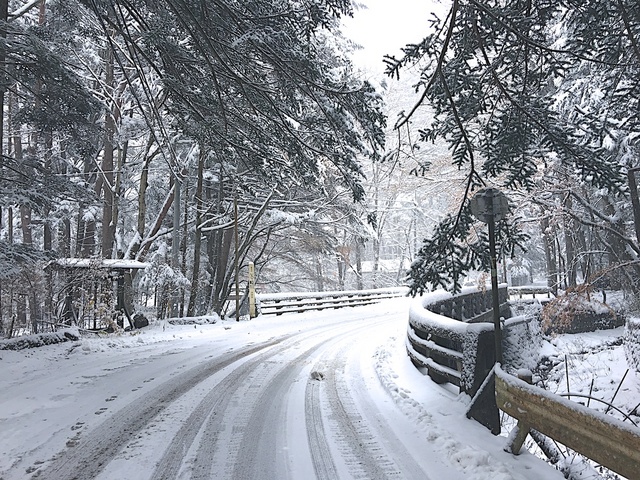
279, 303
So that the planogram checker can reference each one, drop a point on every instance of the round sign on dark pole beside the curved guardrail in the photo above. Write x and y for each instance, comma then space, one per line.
489, 206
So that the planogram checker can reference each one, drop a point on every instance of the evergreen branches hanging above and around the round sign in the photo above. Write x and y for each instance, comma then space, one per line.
518, 86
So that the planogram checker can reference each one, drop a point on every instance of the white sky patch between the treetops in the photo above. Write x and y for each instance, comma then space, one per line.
386, 26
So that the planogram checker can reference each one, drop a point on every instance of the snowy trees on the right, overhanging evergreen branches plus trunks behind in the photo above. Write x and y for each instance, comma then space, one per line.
541, 99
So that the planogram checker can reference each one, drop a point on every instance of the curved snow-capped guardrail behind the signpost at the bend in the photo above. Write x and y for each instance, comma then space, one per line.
450, 336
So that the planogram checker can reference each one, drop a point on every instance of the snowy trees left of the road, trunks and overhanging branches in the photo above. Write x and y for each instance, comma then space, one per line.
173, 122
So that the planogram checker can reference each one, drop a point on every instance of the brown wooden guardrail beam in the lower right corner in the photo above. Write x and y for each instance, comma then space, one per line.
602, 438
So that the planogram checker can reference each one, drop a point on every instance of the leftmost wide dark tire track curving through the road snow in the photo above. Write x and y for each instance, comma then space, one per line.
90, 456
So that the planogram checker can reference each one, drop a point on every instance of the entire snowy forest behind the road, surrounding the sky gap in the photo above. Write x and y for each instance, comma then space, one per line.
152, 149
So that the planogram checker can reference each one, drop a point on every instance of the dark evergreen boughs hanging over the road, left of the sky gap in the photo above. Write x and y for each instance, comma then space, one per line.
256, 83
